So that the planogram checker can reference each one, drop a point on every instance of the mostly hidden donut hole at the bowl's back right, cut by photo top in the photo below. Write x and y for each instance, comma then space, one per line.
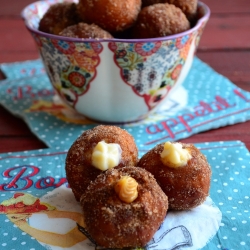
189, 7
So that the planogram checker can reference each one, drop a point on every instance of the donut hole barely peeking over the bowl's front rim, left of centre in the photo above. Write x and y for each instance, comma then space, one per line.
84, 30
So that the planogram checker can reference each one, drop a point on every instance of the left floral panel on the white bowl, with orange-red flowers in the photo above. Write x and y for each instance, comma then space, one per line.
71, 66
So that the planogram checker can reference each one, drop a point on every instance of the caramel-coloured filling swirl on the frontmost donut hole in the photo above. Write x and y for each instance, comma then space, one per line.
126, 188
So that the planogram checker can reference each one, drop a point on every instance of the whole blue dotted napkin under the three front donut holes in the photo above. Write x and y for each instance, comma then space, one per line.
38, 209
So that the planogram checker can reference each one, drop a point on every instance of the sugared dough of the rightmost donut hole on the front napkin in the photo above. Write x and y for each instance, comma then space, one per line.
187, 186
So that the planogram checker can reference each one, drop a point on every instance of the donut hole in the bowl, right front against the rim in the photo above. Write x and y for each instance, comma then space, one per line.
160, 20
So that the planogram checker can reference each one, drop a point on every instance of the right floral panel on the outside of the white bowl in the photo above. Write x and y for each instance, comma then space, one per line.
152, 68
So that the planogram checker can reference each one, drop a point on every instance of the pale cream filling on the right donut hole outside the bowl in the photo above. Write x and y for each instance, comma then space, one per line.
174, 155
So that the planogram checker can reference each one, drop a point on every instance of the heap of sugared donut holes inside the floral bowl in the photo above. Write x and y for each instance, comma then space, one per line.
129, 19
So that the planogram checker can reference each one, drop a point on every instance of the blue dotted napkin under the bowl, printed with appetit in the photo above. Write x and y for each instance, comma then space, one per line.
205, 101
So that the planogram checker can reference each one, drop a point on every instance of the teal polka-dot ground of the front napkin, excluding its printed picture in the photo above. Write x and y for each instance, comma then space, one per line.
41, 171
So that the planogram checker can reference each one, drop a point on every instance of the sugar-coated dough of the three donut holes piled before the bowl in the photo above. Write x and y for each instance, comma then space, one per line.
114, 223
